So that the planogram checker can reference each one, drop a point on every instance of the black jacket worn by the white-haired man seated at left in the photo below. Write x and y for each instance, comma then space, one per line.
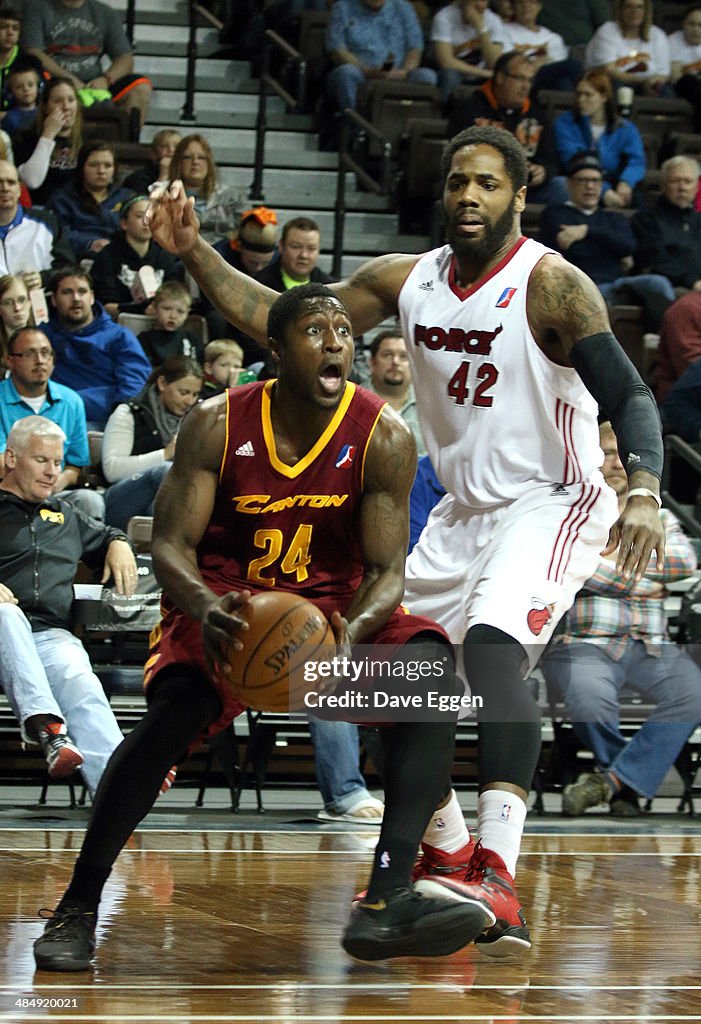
40, 547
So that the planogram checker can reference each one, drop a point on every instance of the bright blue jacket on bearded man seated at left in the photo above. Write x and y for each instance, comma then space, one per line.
103, 361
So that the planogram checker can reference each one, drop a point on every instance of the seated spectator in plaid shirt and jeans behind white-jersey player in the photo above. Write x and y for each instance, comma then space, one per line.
617, 635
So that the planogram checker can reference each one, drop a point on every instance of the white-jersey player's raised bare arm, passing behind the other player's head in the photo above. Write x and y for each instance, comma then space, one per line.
371, 295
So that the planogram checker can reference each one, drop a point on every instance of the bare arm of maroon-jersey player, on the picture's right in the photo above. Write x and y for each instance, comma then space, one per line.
390, 468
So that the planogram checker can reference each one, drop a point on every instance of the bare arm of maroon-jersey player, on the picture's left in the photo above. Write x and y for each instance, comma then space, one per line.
184, 509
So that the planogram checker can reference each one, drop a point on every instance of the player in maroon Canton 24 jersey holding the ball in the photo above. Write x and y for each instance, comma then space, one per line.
235, 517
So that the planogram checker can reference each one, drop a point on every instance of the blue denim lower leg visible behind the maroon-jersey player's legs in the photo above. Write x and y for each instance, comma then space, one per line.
337, 755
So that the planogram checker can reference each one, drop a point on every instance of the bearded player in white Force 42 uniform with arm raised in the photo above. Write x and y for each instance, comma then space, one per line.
512, 354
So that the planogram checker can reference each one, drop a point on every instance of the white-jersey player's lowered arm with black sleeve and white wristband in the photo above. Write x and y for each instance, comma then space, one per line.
569, 320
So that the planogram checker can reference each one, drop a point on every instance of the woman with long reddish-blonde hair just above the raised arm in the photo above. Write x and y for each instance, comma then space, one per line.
218, 207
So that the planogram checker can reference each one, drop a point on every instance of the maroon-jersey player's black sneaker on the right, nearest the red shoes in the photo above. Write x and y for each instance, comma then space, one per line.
407, 924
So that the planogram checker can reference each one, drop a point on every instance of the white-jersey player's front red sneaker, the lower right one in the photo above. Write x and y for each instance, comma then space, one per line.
487, 882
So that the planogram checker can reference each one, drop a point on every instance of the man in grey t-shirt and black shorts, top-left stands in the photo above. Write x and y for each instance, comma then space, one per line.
72, 38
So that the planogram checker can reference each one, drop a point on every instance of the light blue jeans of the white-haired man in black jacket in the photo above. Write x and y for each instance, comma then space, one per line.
50, 673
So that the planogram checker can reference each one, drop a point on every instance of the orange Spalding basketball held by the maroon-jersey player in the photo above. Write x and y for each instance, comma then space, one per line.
285, 631
